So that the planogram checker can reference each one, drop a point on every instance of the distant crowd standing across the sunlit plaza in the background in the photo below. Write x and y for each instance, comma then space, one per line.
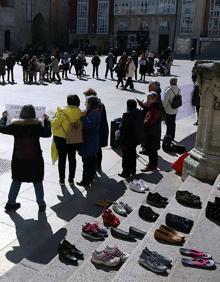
53, 66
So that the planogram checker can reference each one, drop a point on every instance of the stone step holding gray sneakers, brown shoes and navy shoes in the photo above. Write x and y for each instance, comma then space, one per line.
131, 270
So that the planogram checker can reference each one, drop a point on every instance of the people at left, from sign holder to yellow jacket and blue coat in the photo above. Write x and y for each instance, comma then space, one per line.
27, 159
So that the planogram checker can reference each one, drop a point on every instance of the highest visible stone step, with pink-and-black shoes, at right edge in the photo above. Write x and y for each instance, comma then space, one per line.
205, 237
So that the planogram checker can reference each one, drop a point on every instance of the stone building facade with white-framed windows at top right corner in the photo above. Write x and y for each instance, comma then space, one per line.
198, 26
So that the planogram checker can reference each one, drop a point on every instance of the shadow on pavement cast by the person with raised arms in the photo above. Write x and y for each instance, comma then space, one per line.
36, 233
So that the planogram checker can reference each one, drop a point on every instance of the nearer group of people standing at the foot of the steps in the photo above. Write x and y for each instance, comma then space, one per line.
138, 127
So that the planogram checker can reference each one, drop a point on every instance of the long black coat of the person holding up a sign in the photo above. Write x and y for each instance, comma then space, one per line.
27, 160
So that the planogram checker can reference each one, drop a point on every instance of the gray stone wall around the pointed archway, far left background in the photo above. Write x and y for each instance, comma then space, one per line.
15, 20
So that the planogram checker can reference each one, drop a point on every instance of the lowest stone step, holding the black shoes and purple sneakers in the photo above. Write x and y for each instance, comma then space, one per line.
46, 255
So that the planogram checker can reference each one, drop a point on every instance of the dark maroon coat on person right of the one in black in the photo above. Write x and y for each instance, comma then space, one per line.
152, 125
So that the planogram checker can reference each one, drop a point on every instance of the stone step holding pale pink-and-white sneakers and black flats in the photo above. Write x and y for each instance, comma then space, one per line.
90, 272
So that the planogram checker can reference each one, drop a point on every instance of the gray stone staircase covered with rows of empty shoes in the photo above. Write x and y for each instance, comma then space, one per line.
44, 265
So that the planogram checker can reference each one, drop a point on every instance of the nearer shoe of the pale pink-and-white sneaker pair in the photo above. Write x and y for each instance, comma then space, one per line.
102, 257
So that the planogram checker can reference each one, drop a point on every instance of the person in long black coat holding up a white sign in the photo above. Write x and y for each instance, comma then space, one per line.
27, 160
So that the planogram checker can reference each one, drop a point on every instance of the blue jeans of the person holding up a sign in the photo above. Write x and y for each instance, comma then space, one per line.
15, 187
